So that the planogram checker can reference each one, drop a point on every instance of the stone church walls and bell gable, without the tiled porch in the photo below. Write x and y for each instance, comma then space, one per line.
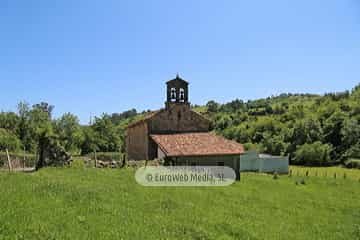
176, 117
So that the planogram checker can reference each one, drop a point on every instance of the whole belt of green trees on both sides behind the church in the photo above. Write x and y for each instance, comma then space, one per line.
311, 129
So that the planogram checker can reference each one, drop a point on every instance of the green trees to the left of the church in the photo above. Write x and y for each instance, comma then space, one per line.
34, 130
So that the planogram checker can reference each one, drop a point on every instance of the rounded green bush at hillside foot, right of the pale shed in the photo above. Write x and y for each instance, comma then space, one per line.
313, 154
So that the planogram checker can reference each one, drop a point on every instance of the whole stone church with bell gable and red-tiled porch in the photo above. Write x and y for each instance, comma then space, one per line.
180, 134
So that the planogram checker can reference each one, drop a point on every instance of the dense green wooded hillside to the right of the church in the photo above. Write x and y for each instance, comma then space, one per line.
311, 129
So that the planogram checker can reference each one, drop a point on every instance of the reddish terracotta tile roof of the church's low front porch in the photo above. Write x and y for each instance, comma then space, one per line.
196, 144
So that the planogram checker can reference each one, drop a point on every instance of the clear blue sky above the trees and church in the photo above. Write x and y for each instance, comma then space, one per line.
109, 56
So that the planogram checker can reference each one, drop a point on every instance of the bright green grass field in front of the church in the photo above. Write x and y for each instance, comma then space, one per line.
108, 204
